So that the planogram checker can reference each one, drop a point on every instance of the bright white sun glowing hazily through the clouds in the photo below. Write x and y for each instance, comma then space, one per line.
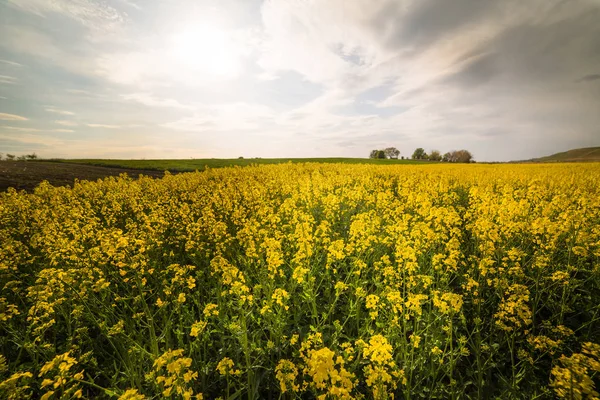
206, 49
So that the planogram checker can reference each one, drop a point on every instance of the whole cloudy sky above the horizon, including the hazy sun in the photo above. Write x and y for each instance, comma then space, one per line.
505, 79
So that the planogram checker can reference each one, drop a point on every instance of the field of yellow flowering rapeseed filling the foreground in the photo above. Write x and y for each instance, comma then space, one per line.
311, 281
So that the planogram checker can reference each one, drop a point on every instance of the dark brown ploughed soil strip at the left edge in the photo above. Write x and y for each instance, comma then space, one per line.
26, 175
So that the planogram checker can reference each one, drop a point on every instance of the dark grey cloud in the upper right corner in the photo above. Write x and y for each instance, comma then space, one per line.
545, 41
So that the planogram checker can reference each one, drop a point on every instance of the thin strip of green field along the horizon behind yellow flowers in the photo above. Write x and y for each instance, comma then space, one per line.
201, 164
